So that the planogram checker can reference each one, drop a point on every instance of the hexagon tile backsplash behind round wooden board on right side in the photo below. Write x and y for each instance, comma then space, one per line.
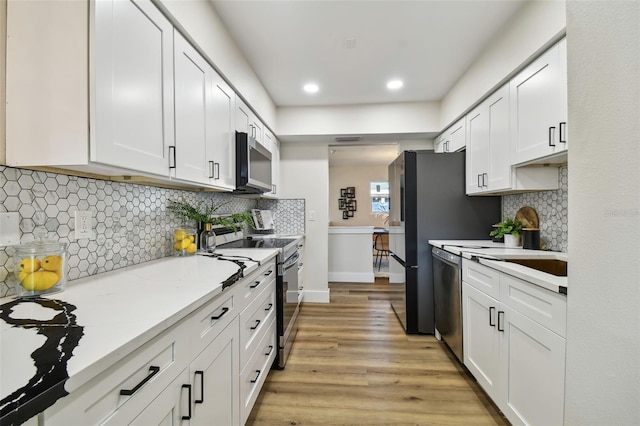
552, 208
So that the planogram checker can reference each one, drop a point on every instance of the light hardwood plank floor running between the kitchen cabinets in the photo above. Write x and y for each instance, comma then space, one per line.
352, 364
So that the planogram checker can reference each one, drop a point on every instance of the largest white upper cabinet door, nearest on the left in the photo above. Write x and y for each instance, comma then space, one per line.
133, 86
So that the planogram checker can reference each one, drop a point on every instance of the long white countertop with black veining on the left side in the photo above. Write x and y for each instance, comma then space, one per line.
118, 311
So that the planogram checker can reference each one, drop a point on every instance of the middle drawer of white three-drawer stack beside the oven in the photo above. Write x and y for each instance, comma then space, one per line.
255, 320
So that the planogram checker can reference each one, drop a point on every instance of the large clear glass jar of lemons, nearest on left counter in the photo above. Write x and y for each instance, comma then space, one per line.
41, 267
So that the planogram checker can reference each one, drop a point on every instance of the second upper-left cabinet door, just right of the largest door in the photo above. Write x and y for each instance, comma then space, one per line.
193, 80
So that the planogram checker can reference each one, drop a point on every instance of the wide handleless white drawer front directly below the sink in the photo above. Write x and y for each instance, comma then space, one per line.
543, 306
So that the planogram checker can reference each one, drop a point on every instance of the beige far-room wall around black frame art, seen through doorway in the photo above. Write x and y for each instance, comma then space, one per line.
359, 177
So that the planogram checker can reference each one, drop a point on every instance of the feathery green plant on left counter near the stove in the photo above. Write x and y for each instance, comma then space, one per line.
205, 213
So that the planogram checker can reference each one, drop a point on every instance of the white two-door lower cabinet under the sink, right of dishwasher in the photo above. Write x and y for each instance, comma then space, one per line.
517, 360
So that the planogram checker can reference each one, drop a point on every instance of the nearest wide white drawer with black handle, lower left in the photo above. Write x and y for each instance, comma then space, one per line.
142, 374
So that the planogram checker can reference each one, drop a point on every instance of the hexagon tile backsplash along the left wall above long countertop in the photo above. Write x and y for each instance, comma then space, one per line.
130, 222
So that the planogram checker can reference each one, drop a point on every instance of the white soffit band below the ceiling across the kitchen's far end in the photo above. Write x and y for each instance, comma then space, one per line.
410, 117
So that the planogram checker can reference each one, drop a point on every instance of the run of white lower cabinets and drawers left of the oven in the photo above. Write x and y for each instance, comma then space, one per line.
191, 374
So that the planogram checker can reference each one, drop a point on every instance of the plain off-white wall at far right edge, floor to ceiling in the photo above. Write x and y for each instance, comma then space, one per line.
603, 332
